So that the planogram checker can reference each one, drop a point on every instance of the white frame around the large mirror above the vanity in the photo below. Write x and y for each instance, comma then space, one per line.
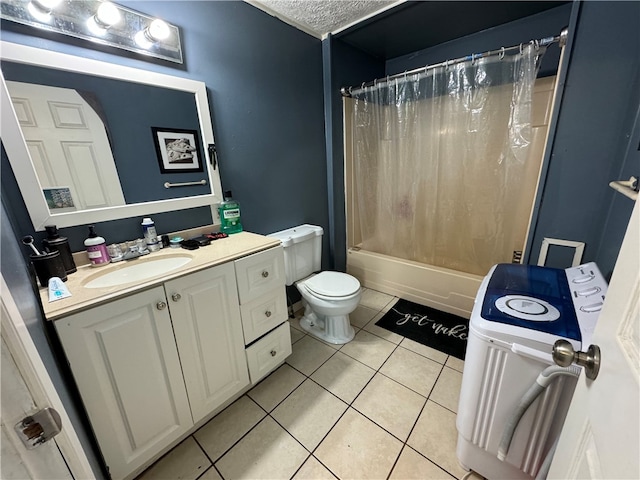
20, 159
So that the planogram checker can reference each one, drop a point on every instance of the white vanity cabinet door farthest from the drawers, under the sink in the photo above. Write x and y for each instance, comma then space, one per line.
124, 359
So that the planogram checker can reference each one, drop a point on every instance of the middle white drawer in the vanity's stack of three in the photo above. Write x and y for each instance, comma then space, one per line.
263, 314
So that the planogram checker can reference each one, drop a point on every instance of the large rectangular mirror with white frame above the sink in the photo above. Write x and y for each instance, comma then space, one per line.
153, 156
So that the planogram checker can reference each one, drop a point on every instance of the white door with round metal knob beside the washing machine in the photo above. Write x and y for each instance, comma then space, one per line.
600, 437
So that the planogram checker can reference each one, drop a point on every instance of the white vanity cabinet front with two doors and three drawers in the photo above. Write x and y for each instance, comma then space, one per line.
152, 366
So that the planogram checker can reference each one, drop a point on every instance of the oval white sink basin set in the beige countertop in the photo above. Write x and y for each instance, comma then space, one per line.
136, 270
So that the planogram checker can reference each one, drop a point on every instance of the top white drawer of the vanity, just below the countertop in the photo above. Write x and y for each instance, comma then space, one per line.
260, 273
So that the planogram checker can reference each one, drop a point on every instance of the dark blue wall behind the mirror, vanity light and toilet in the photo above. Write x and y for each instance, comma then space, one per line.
264, 82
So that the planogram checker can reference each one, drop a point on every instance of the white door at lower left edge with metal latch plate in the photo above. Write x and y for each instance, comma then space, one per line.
18, 462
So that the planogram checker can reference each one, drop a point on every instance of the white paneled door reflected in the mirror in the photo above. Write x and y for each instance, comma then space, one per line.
69, 147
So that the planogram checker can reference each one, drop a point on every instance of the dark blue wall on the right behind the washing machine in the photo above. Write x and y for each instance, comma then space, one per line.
596, 140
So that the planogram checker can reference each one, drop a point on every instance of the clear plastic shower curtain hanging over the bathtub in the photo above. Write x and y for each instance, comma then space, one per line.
440, 162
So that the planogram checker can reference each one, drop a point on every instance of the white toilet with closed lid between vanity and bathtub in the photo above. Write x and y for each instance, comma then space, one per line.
328, 297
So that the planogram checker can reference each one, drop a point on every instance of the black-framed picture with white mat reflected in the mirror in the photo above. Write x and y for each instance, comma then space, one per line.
178, 150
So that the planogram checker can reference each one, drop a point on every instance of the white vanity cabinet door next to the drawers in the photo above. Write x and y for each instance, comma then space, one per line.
208, 329
